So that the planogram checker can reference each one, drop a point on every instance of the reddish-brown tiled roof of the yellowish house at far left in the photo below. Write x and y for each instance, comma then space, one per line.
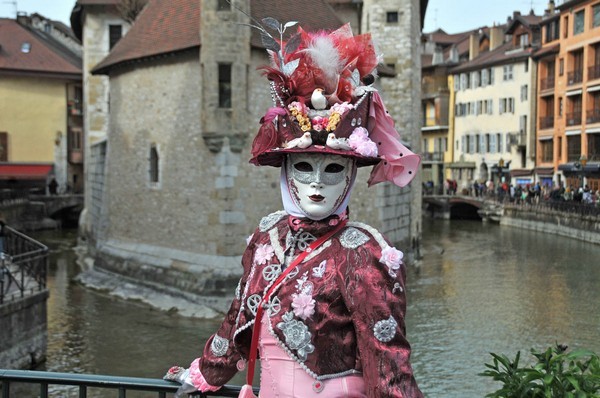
46, 56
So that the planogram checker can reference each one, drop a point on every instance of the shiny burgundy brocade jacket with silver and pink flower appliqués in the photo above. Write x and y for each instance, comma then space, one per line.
339, 312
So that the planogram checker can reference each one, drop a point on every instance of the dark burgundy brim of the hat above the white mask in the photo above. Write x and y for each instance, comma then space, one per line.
275, 157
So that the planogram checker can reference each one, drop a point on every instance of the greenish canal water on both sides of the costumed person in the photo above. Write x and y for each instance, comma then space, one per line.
479, 288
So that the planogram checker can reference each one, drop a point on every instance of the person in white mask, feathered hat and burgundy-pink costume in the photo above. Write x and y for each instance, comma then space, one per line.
321, 298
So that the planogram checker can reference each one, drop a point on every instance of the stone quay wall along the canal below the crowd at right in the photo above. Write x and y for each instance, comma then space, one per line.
569, 224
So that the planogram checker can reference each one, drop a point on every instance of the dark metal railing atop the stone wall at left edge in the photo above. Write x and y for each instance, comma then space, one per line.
23, 265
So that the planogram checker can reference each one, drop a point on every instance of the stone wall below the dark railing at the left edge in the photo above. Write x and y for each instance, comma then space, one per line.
23, 335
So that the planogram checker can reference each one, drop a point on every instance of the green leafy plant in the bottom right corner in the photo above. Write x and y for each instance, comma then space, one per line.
556, 374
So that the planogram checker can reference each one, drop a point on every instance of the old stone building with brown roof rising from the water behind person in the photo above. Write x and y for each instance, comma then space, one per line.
175, 195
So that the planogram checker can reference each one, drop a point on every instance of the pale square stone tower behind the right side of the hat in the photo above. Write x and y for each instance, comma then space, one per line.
395, 27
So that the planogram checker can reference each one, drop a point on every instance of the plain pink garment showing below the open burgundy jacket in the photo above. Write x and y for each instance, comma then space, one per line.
282, 377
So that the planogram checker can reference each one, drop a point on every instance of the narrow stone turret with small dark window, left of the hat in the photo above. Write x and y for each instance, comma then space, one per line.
224, 113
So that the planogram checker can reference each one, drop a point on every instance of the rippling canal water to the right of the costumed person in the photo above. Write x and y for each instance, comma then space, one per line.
485, 288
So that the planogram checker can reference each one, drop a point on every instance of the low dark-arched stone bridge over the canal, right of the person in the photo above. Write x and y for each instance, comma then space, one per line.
455, 207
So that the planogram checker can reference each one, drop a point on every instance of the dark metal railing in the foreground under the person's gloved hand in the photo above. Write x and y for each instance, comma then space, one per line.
83, 382
